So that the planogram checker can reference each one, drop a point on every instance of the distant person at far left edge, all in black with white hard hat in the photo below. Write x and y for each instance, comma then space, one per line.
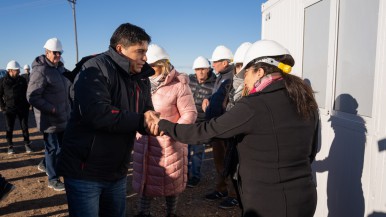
13, 102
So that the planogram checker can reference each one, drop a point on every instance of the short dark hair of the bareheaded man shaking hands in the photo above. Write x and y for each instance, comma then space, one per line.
128, 34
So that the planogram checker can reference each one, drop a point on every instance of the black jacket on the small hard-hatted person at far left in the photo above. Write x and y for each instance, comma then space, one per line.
13, 94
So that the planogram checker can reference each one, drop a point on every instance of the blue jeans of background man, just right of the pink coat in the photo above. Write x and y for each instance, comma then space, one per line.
195, 155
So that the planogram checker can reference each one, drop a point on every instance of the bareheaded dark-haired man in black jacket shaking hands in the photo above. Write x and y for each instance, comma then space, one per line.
111, 95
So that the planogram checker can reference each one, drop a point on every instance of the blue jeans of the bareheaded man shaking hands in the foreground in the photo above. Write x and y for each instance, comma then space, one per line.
96, 198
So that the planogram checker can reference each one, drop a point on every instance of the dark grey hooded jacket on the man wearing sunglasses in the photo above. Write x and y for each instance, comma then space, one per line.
48, 93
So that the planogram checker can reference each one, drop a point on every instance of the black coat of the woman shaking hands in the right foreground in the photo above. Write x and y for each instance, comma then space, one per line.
275, 151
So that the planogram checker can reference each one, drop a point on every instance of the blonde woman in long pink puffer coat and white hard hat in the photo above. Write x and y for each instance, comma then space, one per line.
160, 163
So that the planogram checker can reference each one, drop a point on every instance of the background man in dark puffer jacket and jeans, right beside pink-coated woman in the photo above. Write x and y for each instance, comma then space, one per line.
201, 84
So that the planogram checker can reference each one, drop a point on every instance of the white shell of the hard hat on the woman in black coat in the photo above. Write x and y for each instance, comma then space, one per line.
262, 48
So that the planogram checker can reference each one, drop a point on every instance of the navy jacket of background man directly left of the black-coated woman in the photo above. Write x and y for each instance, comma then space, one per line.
219, 99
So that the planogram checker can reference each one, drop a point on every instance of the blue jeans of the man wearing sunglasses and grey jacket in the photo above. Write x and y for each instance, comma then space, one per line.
52, 144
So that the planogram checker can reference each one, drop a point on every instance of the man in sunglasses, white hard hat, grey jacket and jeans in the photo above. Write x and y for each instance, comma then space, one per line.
48, 93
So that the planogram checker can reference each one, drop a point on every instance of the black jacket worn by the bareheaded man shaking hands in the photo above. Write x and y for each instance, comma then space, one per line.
109, 103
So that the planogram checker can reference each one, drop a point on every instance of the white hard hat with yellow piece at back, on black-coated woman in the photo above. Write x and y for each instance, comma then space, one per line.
265, 48
